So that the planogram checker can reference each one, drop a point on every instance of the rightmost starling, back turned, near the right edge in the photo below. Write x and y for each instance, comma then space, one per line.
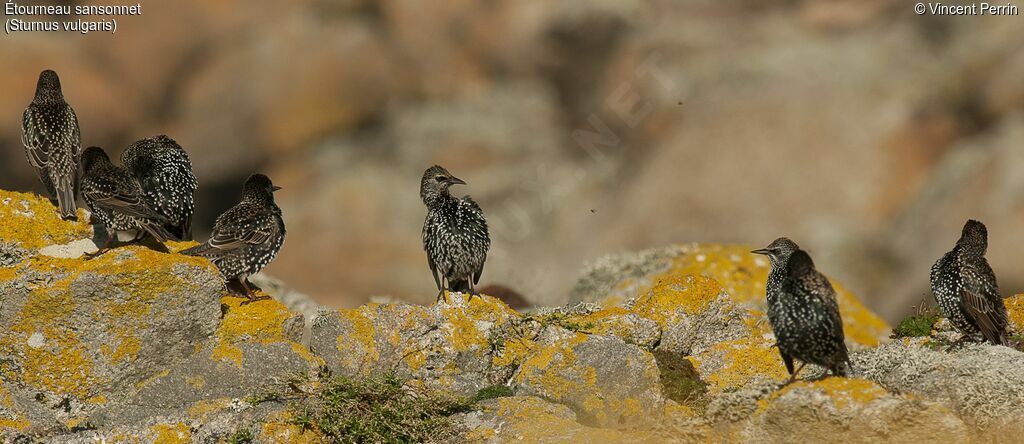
965, 288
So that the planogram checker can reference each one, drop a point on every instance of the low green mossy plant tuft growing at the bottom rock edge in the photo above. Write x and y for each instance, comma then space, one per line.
377, 410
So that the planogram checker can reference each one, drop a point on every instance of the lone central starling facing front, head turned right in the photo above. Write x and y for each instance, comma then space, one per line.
455, 235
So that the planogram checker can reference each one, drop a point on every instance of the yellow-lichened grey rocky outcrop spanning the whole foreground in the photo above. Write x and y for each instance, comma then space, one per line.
672, 345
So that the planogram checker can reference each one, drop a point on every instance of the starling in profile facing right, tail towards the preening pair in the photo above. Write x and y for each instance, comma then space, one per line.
247, 237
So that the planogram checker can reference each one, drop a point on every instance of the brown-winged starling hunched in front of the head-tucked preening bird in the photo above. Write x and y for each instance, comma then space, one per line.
115, 198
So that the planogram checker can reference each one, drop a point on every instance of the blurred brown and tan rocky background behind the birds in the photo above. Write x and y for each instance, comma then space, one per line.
864, 131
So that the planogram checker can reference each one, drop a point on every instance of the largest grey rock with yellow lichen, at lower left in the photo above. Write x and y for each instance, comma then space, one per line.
81, 333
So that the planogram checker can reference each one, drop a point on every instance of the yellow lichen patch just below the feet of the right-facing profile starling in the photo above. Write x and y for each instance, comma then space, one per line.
262, 322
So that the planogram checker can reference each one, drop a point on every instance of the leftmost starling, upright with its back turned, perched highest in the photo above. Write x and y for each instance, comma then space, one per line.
53, 143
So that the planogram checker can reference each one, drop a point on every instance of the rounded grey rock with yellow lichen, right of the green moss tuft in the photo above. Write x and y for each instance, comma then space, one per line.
606, 381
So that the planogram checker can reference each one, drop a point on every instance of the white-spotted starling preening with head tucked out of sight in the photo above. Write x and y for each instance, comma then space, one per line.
164, 171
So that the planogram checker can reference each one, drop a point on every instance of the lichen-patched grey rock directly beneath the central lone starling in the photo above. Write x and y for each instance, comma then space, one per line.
448, 346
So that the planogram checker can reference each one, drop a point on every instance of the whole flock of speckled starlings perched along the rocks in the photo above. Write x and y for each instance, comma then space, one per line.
152, 195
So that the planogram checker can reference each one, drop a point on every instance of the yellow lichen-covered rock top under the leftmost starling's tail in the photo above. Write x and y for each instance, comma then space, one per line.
32, 223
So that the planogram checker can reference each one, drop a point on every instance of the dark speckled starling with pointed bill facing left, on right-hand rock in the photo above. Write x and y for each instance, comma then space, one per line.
803, 312
